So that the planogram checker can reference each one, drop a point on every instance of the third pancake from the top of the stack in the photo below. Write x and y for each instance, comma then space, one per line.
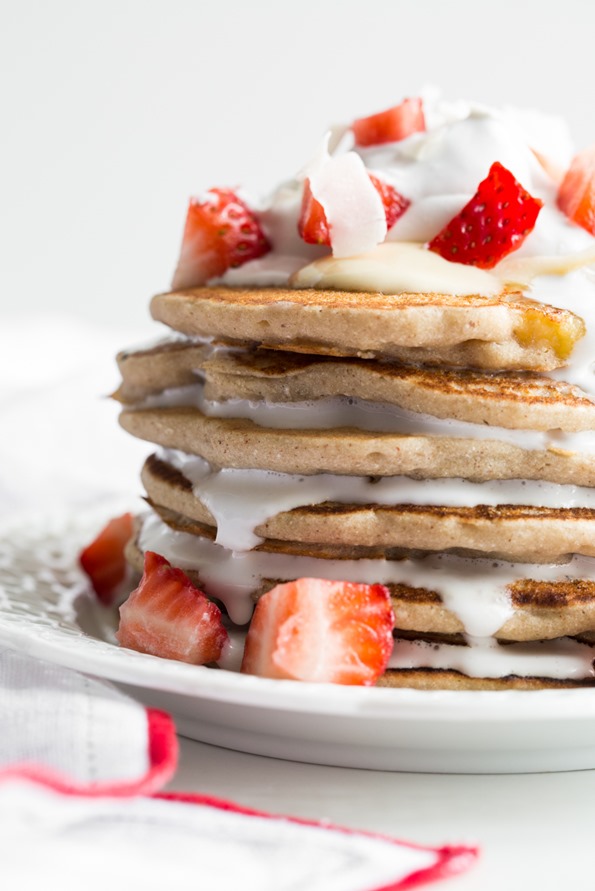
239, 443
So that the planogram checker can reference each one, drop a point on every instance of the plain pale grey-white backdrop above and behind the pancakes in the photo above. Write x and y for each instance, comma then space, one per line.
113, 112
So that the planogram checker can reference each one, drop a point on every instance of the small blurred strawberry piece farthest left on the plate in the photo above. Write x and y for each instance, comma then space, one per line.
103, 560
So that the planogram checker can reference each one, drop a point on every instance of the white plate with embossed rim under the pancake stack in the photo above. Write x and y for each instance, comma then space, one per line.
46, 610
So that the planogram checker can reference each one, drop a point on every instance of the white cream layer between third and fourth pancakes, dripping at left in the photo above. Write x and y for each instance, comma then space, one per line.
240, 500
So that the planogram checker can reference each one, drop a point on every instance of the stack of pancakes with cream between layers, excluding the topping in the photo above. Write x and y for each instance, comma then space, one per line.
418, 440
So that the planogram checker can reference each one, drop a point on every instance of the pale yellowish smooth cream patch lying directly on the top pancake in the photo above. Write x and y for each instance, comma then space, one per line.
397, 268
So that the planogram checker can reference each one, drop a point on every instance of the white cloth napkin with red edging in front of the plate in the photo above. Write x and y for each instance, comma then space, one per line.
75, 755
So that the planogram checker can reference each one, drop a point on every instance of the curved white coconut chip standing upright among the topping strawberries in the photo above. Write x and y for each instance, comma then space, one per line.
352, 205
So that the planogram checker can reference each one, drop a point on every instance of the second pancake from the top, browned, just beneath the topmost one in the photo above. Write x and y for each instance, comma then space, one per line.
513, 400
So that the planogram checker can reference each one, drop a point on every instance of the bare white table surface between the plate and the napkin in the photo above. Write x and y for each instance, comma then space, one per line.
535, 831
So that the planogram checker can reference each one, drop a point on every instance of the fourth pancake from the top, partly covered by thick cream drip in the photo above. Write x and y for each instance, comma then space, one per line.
509, 532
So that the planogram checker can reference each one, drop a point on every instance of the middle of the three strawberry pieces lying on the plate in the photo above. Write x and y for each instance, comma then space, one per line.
168, 616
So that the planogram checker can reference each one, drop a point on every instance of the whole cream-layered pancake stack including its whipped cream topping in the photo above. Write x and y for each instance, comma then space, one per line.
379, 410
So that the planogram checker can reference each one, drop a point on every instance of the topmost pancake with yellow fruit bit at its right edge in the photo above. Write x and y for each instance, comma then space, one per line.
504, 332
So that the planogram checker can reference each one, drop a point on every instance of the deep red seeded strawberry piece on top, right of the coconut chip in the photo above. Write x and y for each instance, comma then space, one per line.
493, 223
